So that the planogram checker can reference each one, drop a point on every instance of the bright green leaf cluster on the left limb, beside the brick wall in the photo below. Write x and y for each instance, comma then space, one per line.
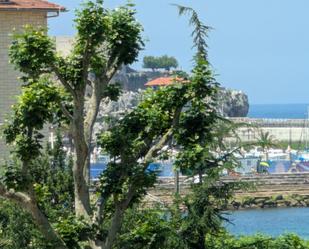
36, 106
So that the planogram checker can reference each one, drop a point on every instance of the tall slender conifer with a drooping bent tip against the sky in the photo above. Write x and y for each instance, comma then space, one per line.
199, 139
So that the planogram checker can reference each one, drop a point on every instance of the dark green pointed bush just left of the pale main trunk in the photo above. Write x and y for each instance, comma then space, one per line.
53, 181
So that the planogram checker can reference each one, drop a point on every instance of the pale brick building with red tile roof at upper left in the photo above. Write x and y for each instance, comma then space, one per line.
14, 15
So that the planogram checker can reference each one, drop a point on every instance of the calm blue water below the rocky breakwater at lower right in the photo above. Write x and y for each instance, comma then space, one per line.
273, 222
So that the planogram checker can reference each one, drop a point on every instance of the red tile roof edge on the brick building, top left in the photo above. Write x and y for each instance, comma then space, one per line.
30, 5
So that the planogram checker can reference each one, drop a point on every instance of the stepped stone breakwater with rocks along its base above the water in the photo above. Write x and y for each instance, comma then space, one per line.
278, 190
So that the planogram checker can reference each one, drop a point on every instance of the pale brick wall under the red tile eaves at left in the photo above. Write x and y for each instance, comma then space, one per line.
9, 84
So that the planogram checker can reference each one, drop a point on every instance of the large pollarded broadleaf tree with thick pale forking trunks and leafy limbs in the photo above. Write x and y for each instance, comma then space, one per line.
177, 115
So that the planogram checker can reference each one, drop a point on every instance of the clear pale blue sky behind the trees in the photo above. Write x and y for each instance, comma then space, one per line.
260, 47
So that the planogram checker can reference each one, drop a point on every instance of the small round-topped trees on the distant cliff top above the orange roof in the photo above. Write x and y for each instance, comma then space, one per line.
163, 62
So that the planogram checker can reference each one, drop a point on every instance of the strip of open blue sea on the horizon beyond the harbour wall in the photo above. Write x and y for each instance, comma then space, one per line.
280, 111
